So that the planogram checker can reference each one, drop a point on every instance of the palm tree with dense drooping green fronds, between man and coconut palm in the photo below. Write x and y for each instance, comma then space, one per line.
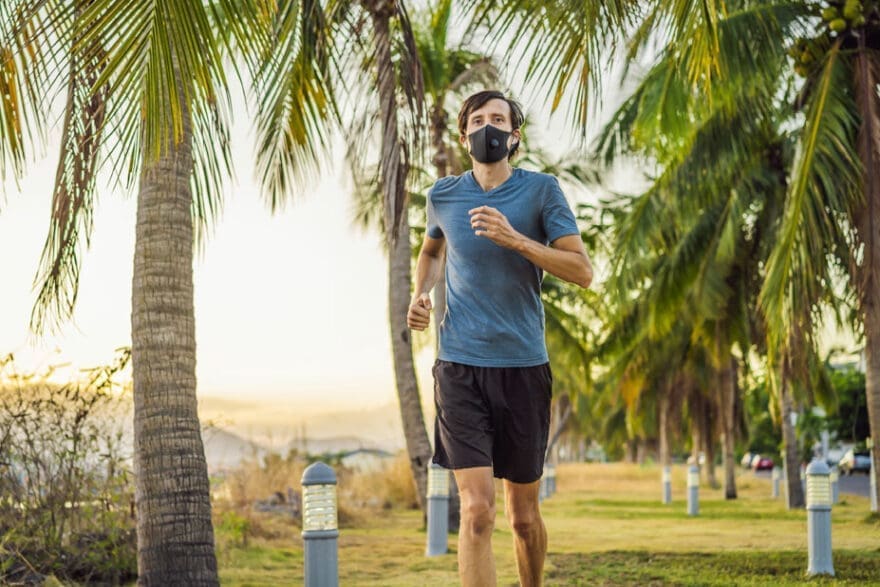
690, 243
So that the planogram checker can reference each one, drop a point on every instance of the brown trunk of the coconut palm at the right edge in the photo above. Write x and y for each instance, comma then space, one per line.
867, 76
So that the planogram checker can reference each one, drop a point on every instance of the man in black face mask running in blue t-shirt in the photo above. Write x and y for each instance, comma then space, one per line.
500, 228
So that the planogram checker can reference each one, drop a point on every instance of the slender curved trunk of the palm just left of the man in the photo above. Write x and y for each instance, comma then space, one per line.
394, 175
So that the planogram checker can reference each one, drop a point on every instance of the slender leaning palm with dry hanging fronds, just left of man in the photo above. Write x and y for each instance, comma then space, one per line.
394, 75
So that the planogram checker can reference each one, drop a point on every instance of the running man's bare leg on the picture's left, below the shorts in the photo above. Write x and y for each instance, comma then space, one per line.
476, 565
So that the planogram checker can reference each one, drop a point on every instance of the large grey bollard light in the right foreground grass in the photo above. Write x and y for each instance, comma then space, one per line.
819, 519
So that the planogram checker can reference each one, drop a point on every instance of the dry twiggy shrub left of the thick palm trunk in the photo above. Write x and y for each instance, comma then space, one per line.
65, 480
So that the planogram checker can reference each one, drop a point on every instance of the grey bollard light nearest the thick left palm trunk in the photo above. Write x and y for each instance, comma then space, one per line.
320, 527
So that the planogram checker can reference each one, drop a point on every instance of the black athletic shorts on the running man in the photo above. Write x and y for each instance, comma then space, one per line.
492, 417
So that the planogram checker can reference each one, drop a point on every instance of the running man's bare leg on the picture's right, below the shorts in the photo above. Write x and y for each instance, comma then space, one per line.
529, 533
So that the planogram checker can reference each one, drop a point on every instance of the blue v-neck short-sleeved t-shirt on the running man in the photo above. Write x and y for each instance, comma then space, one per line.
494, 316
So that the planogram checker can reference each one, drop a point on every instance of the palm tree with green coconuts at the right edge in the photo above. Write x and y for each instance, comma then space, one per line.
831, 187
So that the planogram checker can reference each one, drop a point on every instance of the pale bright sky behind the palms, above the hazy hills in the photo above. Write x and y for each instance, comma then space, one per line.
290, 306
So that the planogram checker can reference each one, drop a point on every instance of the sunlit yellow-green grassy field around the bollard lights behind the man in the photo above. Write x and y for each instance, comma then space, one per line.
607, 527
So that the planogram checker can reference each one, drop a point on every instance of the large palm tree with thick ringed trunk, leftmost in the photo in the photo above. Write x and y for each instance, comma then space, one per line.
146, 94
